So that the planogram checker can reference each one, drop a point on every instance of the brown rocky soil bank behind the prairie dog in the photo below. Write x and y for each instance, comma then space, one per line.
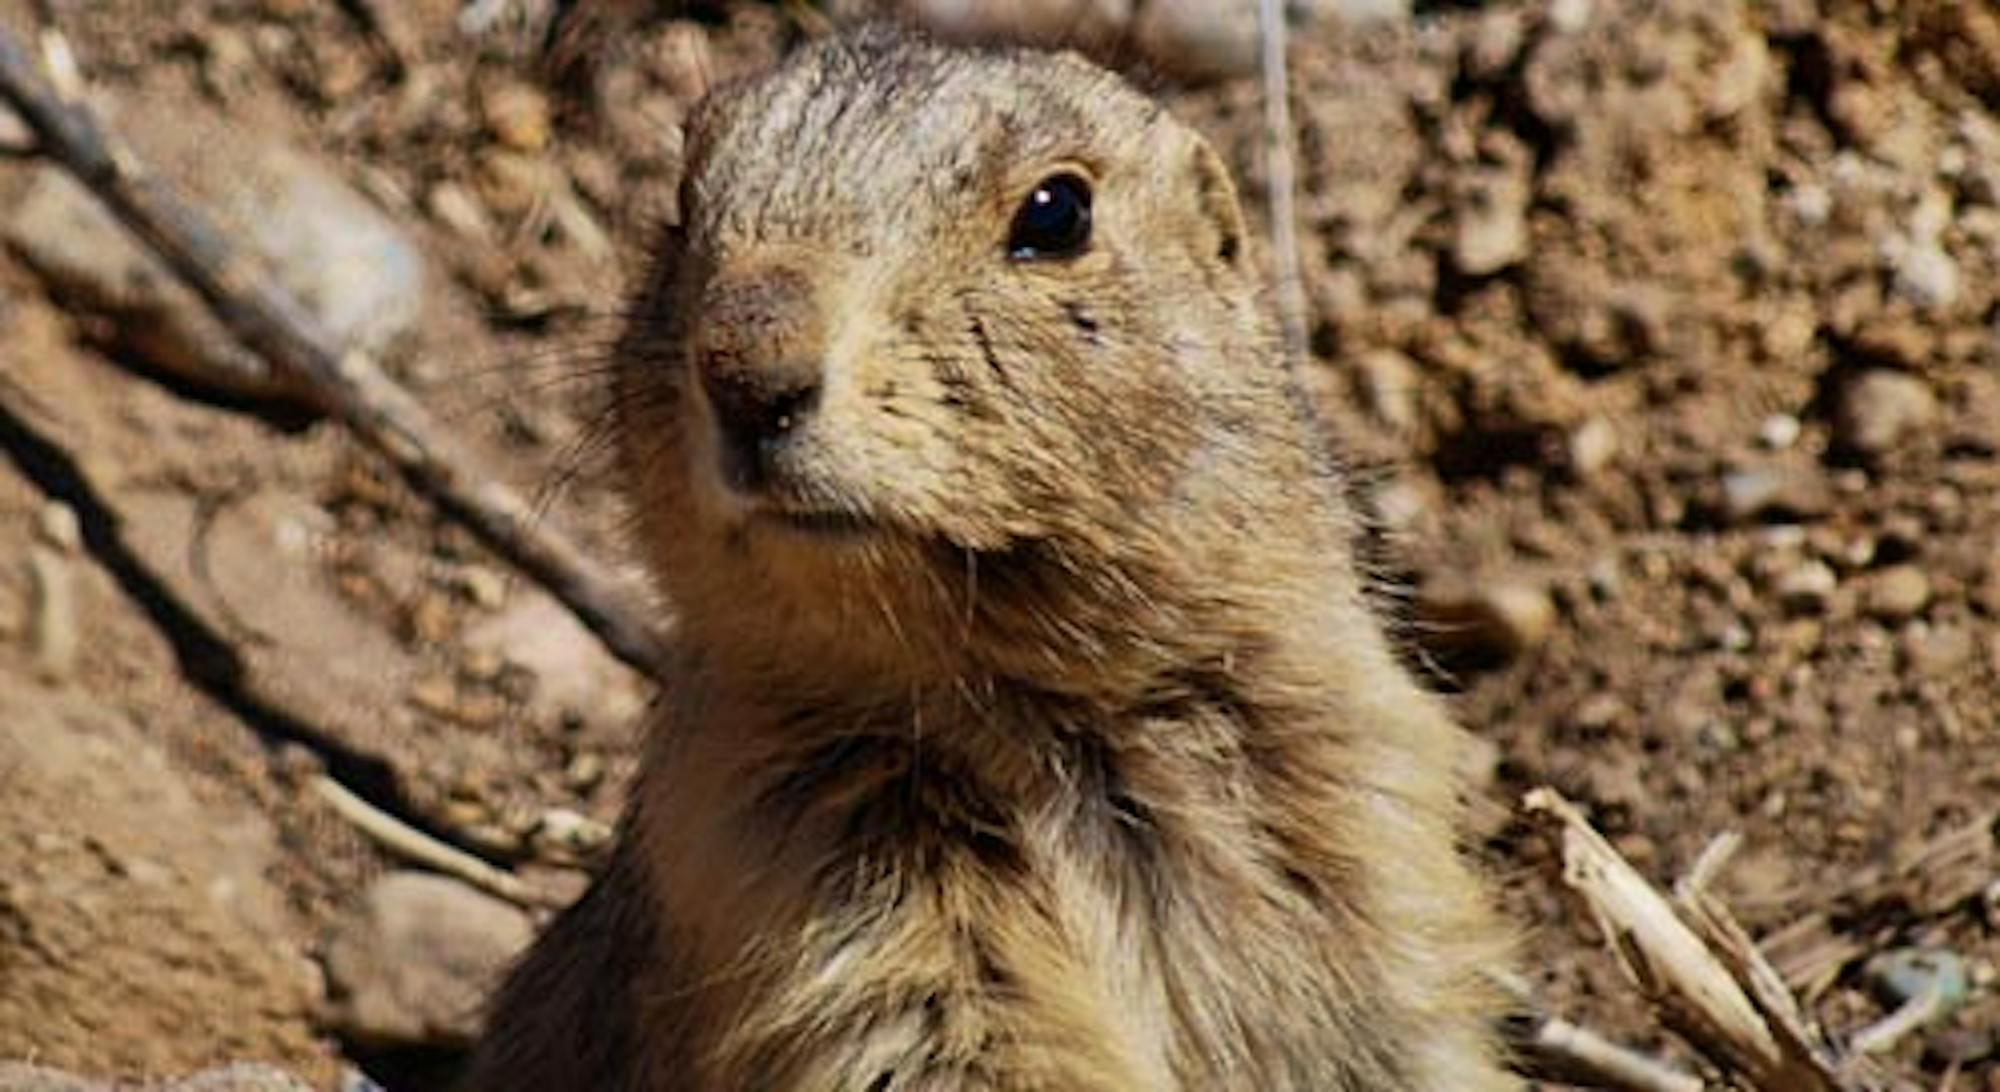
1667, 337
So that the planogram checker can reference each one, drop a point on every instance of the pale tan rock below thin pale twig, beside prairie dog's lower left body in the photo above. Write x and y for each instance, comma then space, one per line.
419, 959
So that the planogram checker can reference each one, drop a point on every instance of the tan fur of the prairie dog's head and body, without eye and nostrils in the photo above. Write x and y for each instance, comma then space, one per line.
1029, 729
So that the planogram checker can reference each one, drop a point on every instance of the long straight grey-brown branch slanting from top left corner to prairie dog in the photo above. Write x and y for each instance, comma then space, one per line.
345, 385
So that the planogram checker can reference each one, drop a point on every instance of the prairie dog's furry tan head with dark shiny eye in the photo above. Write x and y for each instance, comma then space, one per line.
953, 357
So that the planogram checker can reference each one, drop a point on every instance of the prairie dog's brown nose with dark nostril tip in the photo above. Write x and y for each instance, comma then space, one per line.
759, 355
